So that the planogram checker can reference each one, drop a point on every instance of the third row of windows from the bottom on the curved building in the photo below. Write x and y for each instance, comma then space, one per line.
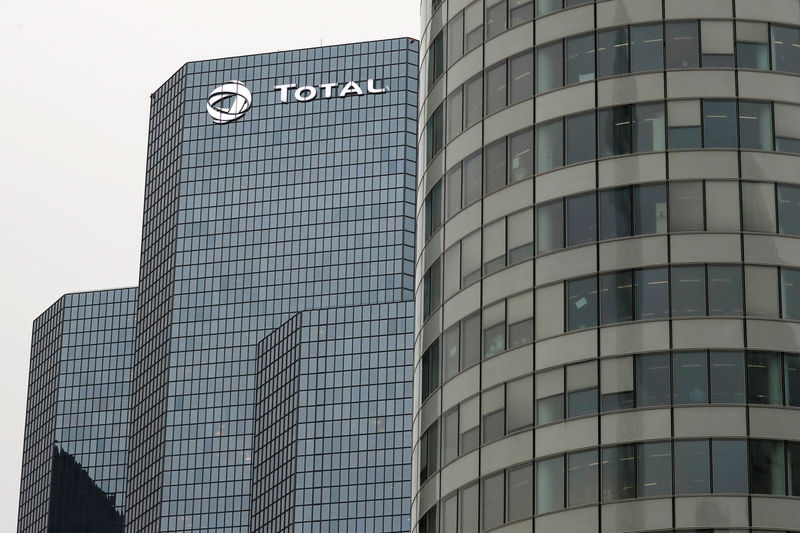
639, 294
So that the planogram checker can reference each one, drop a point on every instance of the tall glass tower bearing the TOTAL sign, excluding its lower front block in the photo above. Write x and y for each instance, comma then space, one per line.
276, 184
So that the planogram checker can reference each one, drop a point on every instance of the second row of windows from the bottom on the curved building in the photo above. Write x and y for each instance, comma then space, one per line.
591, 387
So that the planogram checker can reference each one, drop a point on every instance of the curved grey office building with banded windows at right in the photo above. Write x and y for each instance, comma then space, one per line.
608, 267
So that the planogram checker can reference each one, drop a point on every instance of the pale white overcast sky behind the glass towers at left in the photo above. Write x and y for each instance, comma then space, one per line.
77, 77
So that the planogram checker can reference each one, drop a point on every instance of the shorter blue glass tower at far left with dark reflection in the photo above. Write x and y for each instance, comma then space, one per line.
75, 454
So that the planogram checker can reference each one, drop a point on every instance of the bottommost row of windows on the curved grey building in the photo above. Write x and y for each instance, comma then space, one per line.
614, 473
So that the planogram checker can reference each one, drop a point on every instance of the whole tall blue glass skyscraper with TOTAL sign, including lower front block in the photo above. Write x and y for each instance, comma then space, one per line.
270, 210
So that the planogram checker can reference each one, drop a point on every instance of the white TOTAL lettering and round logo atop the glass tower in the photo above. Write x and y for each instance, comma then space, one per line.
231, 101
